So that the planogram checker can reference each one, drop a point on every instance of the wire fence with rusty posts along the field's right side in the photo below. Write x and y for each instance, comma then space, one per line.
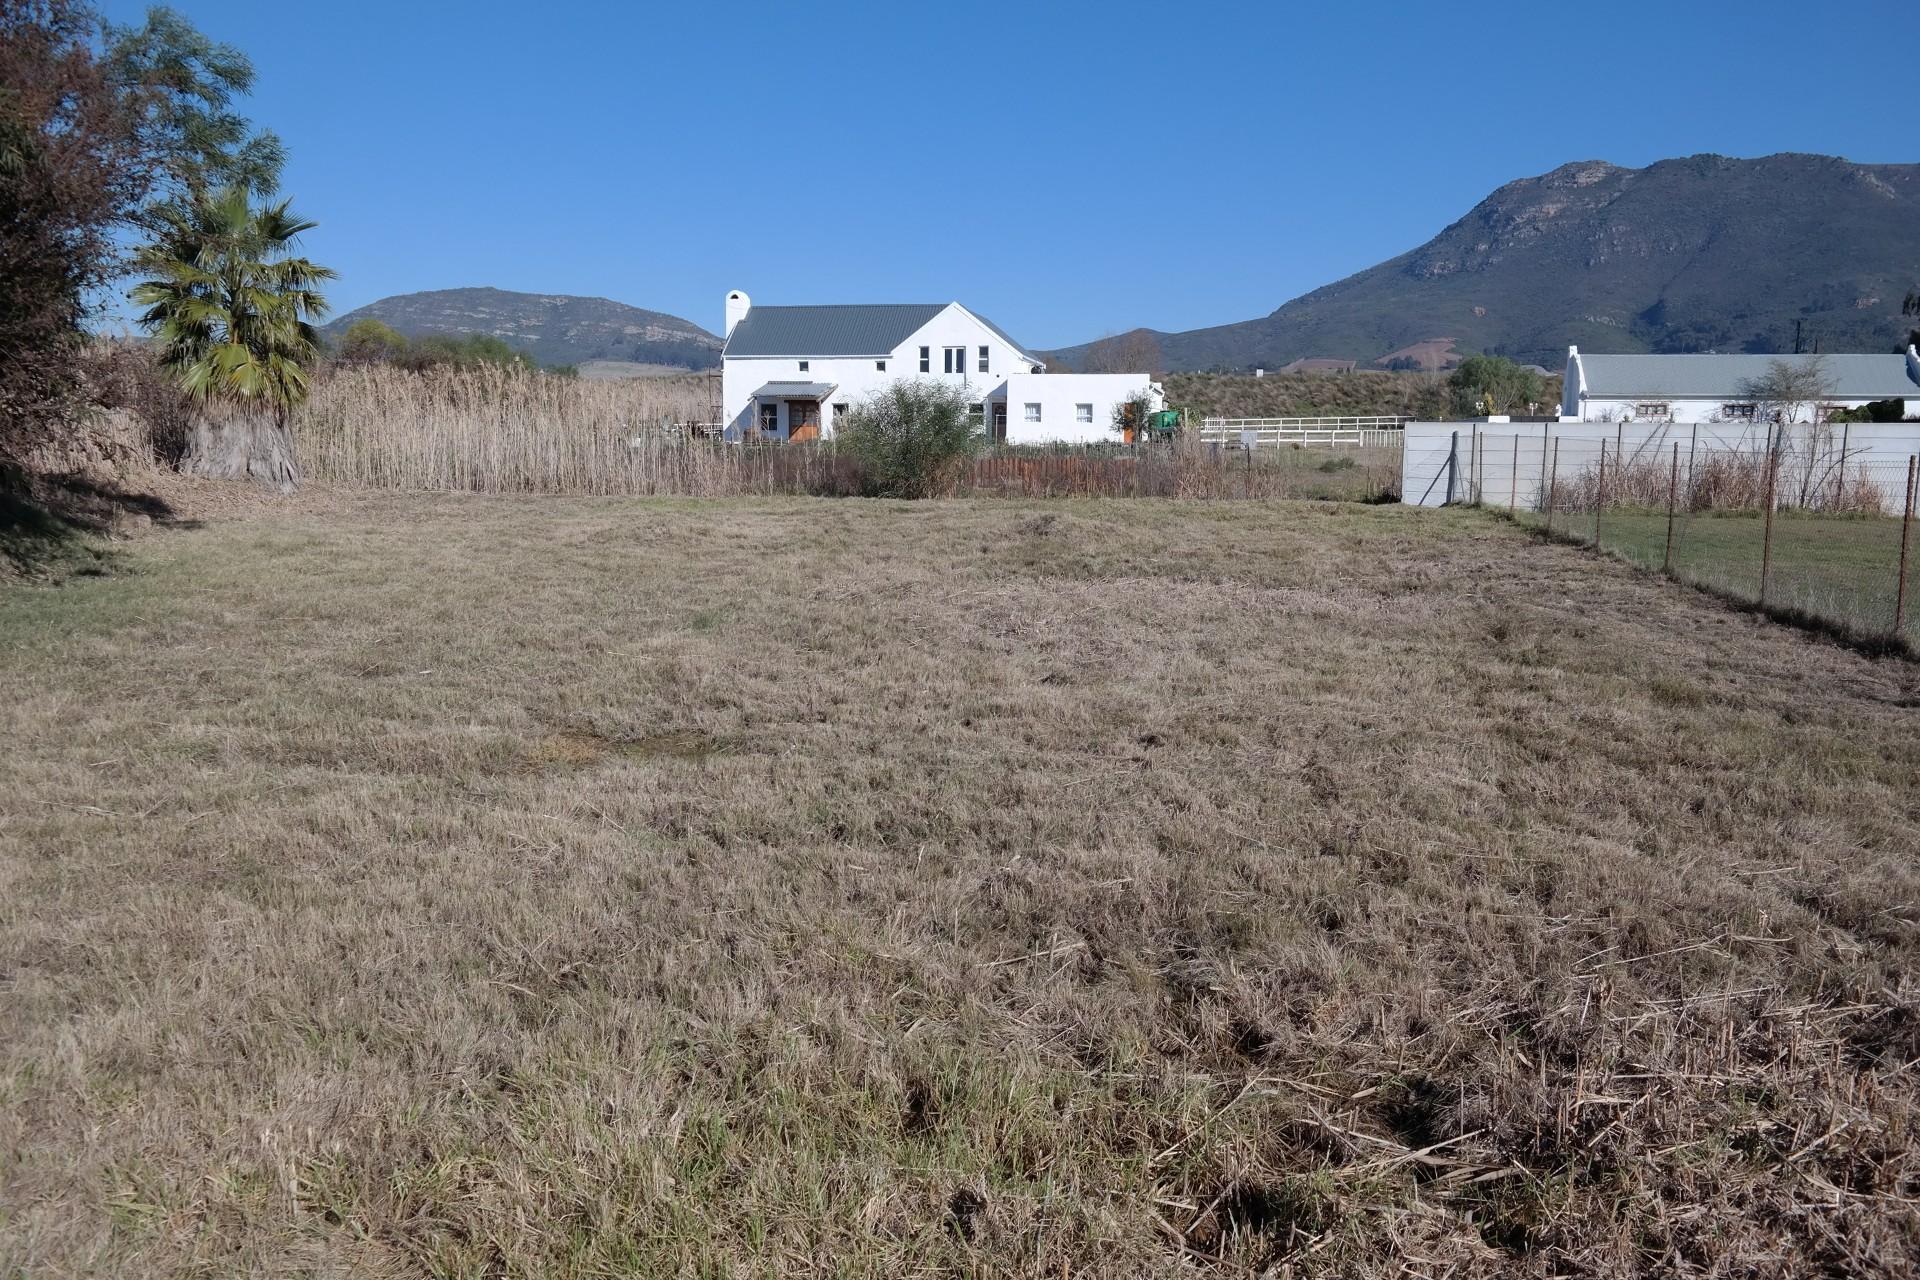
1798, 521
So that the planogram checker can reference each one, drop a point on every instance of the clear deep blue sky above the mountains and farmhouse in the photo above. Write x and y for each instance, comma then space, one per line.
1070, 170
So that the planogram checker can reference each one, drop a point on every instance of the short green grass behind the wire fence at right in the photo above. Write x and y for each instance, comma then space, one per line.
1836, 567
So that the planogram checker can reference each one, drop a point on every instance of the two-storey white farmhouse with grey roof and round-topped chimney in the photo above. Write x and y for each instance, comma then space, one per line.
792, 373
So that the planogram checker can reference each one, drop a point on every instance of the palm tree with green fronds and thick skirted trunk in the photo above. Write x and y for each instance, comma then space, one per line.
231, 310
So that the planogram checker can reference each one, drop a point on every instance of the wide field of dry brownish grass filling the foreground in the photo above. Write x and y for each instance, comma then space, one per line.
606, 888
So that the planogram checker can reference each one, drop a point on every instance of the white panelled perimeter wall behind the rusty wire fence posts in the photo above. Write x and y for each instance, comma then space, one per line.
1514, 456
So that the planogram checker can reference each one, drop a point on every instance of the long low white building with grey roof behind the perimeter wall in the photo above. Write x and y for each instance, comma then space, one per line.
1719, 389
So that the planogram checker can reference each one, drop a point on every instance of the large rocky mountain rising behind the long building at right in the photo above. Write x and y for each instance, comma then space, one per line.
1704, 254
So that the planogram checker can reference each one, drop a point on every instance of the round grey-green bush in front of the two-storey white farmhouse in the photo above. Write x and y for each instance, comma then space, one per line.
911, 439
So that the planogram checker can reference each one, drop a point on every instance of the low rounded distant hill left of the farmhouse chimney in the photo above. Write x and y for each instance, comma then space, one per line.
556, 329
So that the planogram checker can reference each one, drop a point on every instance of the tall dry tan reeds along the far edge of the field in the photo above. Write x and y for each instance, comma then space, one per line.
491, 431
